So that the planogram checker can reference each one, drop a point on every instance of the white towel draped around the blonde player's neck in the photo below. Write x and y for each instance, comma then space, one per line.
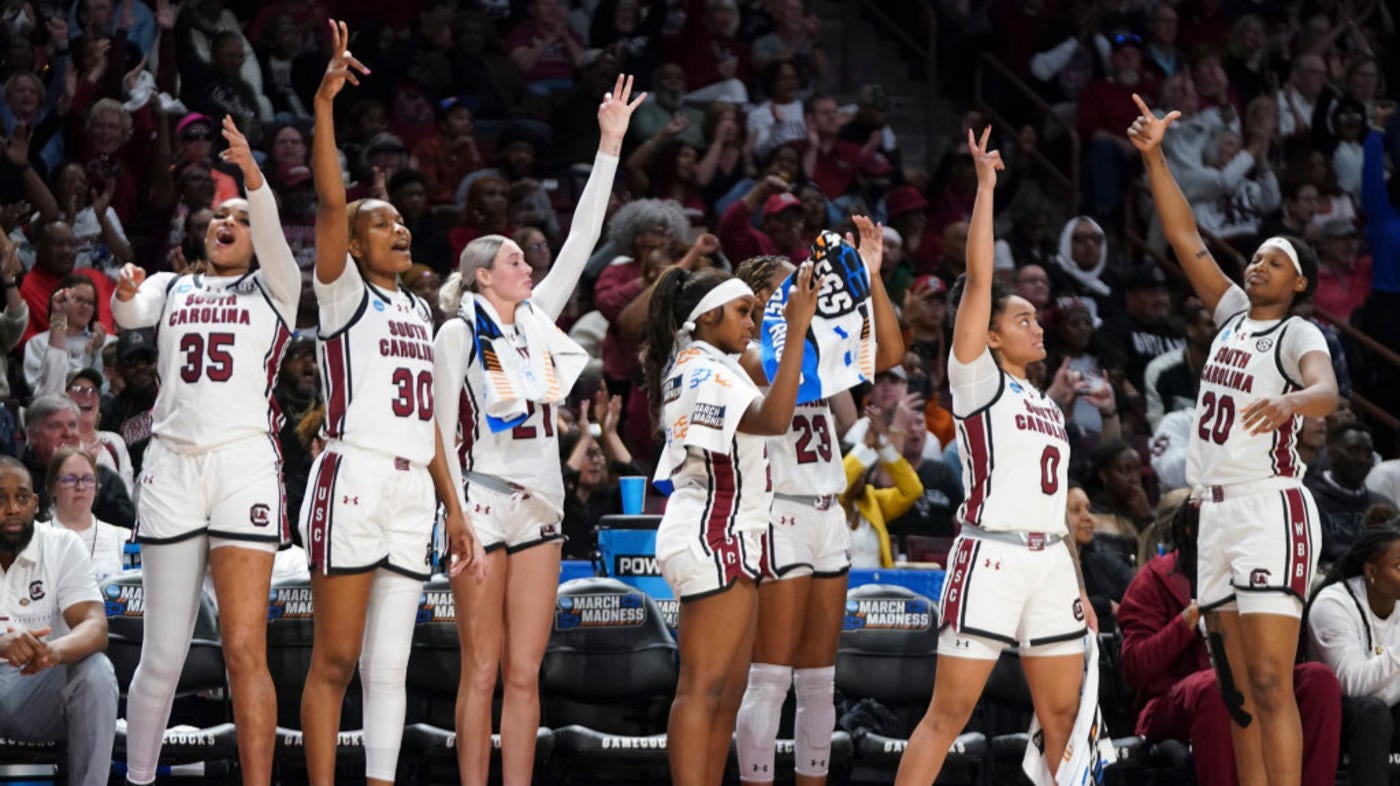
541, 369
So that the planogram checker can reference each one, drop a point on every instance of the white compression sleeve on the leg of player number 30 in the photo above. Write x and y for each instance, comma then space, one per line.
384, 665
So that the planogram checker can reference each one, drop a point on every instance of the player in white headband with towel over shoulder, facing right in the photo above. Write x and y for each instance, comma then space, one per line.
710, 540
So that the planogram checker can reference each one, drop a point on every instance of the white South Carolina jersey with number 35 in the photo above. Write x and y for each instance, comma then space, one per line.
220, 344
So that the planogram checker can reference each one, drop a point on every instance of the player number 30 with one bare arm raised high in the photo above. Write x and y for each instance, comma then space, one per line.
367, 519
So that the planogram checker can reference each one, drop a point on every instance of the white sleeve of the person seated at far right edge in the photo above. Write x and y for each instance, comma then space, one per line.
1339, 640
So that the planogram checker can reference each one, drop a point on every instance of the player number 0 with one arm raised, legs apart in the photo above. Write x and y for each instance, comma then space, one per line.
1013, 570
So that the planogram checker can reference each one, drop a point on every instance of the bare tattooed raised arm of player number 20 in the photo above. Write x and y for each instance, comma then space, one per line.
1178, 222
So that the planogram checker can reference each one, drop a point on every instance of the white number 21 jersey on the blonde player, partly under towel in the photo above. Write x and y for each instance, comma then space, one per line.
527, 455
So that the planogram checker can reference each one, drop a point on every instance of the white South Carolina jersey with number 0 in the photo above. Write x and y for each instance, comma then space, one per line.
1014, 449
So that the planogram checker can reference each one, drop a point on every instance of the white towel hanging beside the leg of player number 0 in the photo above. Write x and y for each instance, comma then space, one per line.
1090, 749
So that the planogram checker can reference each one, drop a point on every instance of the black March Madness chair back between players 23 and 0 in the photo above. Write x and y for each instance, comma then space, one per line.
888, 648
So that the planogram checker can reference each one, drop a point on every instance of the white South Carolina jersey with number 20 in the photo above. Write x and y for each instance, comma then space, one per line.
1249, 361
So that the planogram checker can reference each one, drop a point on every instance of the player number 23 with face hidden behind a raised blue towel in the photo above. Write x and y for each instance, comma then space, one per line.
807, 551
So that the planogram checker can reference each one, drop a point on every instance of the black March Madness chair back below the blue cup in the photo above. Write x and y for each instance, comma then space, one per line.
611, 663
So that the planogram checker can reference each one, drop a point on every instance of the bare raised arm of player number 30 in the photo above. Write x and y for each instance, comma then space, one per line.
332, 236
